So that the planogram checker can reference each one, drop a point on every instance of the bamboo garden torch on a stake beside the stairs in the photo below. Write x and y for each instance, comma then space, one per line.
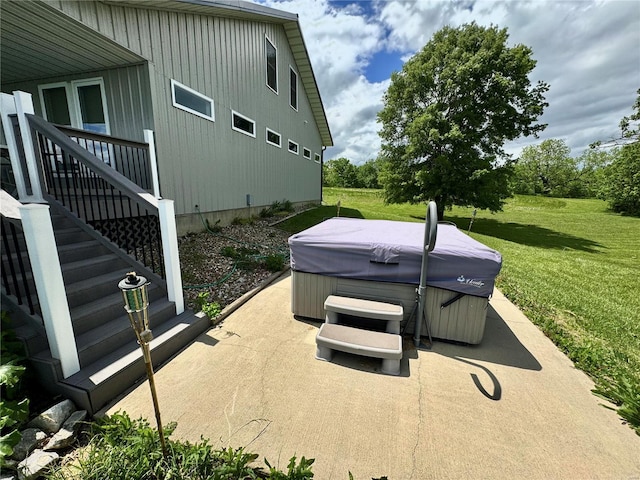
136, 303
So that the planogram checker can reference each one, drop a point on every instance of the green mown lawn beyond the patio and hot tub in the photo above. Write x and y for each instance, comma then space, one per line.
570, 265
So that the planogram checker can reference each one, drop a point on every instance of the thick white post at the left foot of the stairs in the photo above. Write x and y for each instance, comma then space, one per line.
47, 275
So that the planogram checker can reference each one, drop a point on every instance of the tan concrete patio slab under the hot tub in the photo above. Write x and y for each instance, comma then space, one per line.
512, 407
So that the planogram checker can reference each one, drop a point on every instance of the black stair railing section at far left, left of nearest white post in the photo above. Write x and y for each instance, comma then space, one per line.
16, 269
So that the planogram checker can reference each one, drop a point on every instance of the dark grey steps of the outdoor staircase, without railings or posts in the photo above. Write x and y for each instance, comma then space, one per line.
110, 358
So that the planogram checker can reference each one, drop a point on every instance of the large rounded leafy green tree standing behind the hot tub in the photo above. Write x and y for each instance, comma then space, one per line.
448, 113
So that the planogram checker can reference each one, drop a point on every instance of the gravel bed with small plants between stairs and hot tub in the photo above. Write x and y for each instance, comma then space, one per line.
205, 269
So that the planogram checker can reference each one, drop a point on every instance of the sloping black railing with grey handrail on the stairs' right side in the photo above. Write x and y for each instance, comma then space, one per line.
115, 206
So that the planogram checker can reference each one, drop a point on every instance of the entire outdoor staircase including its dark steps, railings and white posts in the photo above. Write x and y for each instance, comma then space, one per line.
106, 223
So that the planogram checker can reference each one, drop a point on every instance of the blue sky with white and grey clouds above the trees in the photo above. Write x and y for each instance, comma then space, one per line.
588, 51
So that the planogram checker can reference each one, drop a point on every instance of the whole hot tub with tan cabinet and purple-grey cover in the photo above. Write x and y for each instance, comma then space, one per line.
381, 260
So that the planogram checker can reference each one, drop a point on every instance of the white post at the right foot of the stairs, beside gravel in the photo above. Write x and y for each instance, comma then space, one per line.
169, 234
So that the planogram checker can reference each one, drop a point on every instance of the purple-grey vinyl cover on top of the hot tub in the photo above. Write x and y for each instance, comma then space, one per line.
390, 251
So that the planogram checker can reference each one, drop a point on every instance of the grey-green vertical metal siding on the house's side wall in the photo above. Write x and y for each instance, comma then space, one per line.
204, 163
